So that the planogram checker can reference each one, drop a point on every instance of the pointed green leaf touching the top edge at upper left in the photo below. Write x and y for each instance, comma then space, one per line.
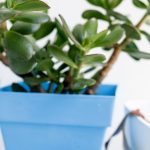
31, 5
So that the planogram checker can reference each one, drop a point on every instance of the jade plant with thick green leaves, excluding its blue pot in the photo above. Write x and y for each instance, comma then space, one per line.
66, 58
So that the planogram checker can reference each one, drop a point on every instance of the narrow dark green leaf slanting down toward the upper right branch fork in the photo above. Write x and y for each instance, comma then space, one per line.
119, 16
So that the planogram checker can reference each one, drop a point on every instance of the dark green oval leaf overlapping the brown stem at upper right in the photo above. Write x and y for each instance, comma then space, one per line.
131, 32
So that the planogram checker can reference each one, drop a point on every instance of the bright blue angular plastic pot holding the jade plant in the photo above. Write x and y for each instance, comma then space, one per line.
32, 121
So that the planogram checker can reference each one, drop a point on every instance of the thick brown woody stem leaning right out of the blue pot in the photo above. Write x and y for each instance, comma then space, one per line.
101, 75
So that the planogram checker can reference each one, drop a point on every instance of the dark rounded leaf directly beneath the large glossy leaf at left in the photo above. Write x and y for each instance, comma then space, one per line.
20, 66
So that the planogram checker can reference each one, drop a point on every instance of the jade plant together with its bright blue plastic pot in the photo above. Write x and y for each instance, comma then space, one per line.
58, 106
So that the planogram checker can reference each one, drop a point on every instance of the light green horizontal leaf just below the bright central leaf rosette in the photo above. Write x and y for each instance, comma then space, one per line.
93, 59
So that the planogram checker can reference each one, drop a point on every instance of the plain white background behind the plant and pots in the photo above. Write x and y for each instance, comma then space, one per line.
133, 78
